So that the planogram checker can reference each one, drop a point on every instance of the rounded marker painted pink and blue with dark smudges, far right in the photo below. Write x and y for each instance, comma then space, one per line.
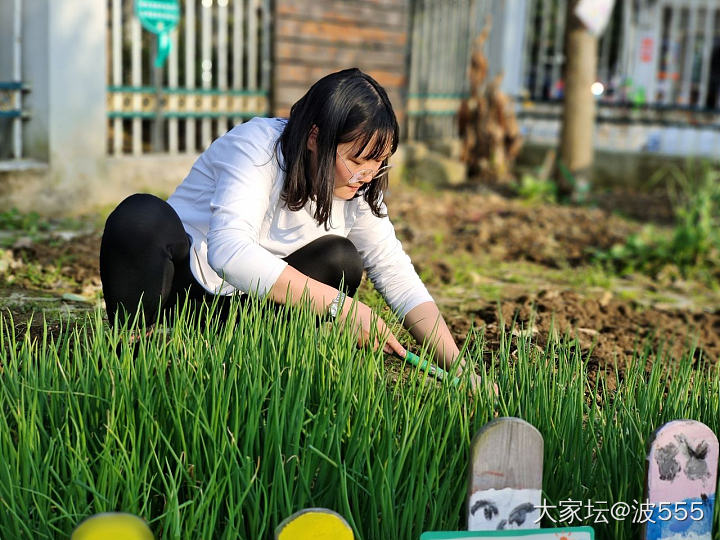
681, 480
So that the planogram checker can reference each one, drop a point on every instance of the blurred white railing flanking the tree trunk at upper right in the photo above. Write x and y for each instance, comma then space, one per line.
675, 38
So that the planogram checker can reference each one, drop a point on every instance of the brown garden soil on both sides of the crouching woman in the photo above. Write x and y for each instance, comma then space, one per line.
546, 242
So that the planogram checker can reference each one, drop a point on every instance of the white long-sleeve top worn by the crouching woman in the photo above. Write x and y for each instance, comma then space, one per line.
230, 206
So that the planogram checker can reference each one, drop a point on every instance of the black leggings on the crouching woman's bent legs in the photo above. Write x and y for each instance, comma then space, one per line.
145, 257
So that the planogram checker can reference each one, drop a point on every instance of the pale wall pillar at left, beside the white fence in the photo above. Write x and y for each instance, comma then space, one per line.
64, 64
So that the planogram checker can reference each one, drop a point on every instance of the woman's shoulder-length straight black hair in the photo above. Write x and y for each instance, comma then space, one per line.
346, 106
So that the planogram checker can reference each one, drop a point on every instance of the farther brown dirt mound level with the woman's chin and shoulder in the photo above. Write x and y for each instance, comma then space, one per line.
506, 229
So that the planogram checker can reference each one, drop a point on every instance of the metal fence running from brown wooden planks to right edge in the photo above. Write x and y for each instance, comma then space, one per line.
662, 57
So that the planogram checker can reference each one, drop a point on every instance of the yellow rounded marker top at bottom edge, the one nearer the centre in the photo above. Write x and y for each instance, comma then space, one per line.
314, 524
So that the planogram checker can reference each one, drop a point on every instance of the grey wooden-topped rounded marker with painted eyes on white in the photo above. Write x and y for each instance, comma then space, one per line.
505, 481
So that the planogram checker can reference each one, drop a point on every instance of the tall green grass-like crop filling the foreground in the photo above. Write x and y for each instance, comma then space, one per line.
222, 432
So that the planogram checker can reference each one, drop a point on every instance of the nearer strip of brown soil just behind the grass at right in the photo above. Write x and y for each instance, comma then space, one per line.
604, 328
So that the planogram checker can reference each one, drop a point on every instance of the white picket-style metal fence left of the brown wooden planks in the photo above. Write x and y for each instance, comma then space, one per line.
217, 74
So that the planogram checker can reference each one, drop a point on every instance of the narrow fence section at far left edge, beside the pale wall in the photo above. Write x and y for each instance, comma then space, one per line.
11, 93
